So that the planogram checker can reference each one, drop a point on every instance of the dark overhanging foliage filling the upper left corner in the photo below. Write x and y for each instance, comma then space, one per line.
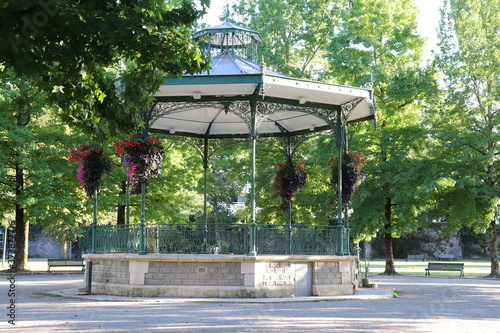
77, 51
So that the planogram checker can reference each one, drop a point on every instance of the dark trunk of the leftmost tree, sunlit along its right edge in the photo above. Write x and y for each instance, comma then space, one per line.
21, 256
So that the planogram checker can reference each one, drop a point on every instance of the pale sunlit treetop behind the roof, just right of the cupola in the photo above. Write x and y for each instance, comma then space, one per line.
294, 32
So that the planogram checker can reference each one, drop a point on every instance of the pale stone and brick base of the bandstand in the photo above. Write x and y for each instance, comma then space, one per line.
221, 276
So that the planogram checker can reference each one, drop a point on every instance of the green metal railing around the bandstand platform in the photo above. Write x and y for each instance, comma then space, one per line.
198, 238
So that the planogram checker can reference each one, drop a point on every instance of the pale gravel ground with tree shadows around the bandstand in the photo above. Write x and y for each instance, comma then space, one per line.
423, 304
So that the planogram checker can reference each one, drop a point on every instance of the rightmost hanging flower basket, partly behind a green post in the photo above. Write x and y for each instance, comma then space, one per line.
353, 175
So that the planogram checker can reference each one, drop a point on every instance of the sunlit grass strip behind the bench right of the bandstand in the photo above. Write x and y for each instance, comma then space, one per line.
472, 268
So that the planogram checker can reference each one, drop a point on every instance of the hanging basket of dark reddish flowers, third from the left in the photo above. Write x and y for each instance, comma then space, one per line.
289, 180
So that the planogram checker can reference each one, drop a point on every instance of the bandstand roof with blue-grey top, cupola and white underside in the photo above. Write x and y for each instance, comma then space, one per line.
217, 103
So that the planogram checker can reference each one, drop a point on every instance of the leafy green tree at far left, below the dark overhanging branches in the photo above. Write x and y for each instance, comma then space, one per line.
34, 176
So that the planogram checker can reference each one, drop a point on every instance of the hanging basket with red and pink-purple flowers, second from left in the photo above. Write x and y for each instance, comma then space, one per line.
142, 159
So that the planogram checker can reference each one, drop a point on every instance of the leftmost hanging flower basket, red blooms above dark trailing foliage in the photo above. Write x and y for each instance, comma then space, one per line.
93, 163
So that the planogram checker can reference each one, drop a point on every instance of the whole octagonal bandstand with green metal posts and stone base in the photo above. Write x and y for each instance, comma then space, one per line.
239, 98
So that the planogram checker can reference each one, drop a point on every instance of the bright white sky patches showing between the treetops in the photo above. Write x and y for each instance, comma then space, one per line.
428, 18
